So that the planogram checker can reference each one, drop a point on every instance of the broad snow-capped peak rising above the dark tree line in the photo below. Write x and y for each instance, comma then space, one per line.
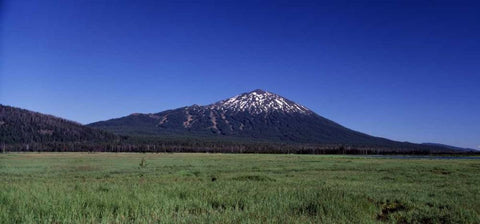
256, 115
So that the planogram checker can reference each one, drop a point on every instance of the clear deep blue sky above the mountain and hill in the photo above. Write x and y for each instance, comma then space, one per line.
405, 70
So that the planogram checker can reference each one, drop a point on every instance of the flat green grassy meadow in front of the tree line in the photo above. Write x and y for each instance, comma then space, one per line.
235, 188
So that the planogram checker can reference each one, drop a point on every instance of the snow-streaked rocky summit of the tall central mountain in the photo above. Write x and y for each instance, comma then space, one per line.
259, 101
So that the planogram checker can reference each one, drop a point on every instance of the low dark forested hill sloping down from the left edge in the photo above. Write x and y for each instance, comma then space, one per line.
23, 126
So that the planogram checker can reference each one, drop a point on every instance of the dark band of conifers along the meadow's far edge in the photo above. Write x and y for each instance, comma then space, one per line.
181, 145
